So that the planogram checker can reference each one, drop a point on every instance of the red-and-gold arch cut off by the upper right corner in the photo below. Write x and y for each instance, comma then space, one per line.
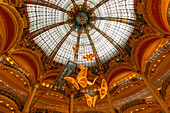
155, 14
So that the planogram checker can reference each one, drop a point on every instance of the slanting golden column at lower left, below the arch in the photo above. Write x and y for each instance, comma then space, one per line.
30, 99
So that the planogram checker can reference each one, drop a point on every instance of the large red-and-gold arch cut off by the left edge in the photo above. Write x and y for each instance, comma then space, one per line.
11, 28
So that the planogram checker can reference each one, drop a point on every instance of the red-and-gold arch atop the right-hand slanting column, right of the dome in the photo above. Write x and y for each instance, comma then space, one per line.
144, 47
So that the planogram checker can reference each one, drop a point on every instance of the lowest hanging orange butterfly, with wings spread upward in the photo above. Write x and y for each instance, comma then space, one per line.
91, 100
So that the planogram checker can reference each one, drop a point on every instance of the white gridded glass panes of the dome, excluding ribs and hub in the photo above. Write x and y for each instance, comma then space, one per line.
42, 16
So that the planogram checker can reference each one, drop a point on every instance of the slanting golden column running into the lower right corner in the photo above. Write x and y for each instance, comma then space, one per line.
155, 93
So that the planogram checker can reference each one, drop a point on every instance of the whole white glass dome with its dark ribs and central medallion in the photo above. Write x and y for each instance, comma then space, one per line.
100, 27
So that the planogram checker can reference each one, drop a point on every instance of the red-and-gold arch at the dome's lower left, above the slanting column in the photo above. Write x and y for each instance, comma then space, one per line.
30, 61
